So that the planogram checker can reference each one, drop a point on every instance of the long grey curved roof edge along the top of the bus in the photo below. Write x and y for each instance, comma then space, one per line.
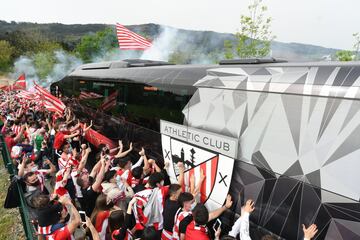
175, 74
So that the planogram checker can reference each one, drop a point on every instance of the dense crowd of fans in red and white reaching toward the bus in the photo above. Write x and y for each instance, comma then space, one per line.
74, 191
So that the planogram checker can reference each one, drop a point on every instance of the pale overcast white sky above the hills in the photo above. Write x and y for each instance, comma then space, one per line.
328, 23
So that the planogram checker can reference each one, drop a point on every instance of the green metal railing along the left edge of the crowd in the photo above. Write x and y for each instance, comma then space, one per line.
24, 213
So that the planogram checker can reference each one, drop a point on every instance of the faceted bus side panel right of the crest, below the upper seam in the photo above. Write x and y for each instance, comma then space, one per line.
297, 154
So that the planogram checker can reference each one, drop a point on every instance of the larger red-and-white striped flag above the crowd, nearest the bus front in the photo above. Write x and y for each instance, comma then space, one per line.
50, 102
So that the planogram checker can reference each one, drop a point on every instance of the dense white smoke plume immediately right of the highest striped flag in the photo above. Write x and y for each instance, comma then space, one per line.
162, 46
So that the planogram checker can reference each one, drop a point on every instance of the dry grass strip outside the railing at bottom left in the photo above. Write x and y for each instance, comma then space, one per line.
10, 221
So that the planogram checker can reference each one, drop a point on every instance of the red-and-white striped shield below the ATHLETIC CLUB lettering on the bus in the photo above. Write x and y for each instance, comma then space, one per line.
210, 170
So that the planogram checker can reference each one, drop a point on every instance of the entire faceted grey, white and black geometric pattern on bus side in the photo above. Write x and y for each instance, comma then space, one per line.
299, 142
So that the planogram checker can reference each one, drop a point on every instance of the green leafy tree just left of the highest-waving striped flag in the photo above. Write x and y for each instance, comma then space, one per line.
95, 44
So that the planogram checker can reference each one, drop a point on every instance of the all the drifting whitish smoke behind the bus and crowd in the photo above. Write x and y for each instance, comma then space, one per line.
169, 45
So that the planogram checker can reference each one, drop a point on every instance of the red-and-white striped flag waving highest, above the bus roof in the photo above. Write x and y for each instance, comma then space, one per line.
129, 40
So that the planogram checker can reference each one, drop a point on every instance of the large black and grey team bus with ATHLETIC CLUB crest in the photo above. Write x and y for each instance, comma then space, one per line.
283, 134
